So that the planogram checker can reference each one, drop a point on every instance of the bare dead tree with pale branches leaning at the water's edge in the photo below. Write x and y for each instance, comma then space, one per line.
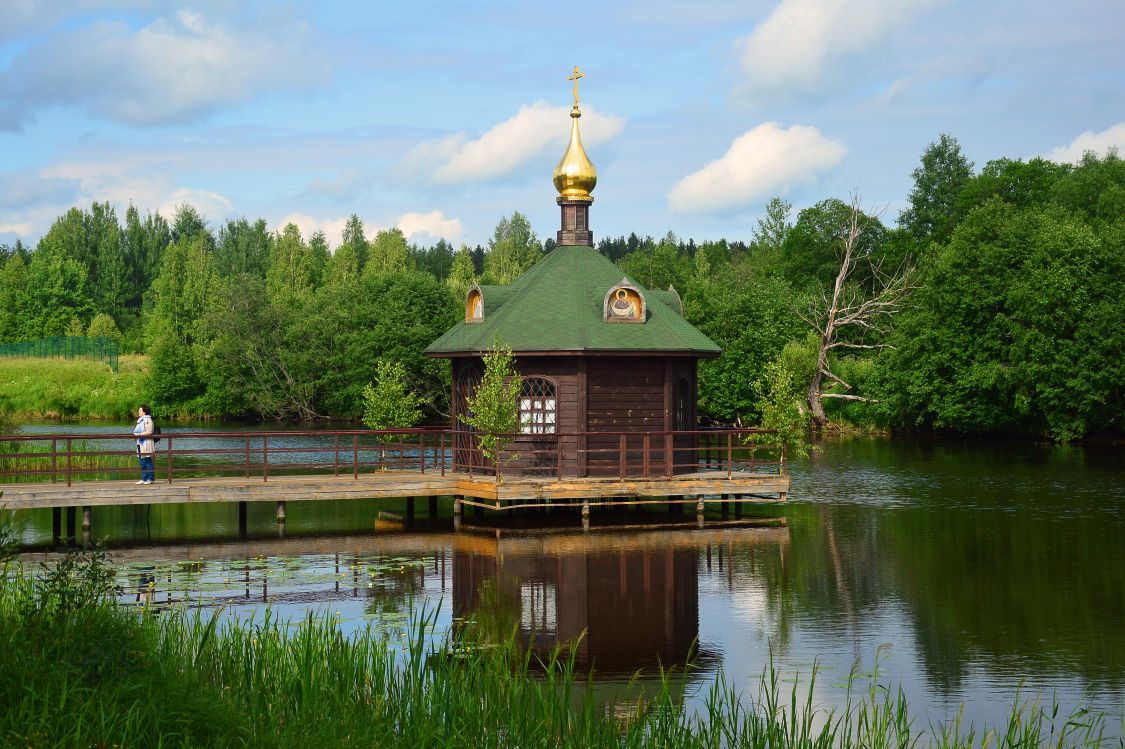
853, 318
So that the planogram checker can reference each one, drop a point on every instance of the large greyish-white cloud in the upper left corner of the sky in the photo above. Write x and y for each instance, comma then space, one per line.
172, 70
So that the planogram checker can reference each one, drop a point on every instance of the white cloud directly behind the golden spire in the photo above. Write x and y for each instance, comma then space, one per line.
508, 146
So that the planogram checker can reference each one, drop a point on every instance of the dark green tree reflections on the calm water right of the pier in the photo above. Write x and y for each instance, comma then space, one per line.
1023, 591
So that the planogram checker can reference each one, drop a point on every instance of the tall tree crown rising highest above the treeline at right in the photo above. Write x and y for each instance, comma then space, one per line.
935, 201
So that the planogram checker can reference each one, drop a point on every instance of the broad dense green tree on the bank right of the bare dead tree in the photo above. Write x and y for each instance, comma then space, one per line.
1018, 329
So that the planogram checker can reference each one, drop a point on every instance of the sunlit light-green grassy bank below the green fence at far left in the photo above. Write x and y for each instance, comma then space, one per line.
71, 389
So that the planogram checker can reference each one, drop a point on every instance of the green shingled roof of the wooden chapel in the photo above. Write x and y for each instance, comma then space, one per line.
557, 308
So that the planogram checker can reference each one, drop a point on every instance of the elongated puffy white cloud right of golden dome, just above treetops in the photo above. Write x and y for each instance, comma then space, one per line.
762, 161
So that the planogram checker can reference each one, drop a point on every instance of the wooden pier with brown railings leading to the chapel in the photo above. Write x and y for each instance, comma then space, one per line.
70, 472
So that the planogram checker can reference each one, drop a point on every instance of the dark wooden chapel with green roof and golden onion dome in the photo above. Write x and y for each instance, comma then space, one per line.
601, 357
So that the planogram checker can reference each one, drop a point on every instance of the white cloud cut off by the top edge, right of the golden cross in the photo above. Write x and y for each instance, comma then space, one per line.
795, 47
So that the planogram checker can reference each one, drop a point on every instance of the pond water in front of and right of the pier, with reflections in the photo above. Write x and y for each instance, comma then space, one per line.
974, 570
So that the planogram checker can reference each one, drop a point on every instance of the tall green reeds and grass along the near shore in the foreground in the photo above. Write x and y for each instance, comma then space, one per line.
78, 670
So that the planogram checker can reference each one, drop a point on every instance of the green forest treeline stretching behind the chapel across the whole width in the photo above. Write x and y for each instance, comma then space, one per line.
1013, 323
